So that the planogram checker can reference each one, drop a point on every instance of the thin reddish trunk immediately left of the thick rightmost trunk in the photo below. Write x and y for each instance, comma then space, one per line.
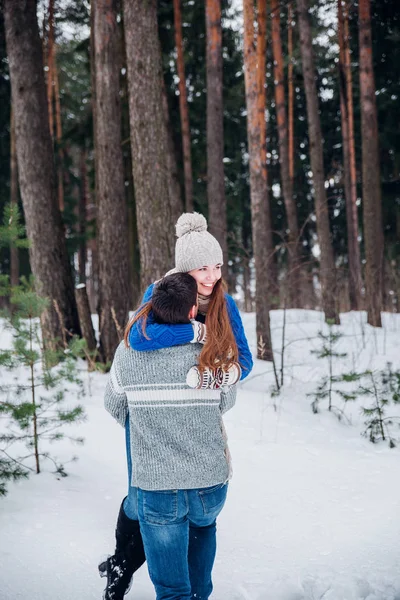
349, 166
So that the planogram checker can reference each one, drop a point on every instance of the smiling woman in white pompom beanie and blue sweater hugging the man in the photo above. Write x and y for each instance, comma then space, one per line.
198, 253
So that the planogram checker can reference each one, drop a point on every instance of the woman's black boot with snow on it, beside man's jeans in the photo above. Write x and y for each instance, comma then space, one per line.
129, 556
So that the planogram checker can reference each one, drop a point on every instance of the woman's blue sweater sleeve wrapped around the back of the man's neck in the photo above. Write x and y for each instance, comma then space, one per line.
161, 335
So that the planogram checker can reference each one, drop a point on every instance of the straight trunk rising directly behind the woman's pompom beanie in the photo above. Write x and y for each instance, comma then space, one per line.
215, 130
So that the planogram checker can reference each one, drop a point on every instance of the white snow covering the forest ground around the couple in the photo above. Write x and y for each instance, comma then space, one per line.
313, 507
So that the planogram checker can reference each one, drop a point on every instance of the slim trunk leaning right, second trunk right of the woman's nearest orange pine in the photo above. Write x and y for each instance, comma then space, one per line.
327, 264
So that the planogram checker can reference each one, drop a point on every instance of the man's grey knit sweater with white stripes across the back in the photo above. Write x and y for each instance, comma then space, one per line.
176, 436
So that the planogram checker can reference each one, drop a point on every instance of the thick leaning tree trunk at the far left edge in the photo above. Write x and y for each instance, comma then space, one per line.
48, 253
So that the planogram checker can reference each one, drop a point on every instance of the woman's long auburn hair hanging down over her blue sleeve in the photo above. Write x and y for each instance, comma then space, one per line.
220, 349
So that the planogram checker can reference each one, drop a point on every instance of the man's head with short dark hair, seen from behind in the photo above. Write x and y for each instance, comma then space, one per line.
174, 299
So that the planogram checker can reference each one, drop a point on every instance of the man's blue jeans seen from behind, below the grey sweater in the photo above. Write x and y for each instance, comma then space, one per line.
178, 529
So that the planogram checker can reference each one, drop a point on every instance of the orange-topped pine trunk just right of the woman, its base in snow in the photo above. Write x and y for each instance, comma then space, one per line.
260, 210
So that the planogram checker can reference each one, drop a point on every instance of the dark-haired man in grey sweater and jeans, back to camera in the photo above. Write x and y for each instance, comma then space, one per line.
177, 448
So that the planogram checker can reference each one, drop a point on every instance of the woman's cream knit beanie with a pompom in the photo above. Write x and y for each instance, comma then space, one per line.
195, 246
